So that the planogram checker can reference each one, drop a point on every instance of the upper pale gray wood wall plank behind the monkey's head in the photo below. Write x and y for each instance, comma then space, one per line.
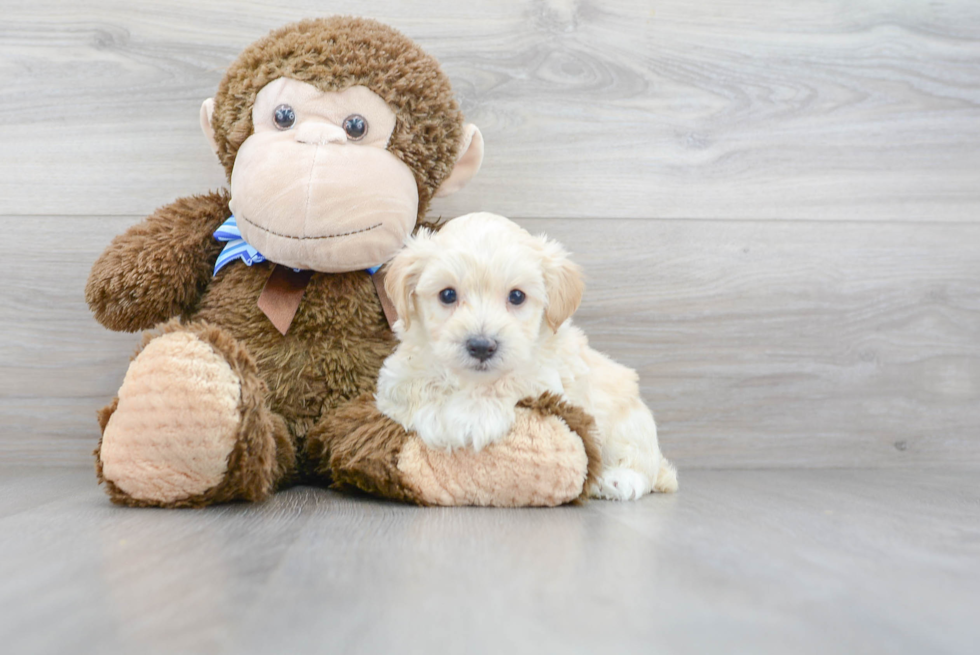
863, 110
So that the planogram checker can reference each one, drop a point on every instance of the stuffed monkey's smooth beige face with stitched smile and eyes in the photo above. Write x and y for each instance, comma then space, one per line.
314, 186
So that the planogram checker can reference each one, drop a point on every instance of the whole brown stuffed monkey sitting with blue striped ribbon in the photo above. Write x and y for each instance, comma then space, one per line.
268, 330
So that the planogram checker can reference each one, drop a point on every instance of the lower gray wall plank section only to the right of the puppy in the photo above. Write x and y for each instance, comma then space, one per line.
808, 344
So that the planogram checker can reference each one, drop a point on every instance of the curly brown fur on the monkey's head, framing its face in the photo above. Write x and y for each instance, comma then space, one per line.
339, 52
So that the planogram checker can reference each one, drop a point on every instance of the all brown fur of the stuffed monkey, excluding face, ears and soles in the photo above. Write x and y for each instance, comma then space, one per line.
161, 270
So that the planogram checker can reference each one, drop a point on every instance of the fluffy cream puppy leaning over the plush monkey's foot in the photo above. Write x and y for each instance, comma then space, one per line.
483, 312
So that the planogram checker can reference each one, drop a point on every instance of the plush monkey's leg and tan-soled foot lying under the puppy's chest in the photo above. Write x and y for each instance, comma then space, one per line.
549, 458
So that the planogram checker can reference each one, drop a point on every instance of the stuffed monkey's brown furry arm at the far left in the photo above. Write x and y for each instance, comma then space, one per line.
158, 269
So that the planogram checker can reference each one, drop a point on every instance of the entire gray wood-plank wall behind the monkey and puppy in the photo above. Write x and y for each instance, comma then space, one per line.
776, 203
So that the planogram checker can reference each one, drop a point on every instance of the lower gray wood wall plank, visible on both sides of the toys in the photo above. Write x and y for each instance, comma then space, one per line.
757, 343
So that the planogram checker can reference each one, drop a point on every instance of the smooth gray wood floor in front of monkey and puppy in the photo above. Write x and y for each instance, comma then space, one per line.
830, 561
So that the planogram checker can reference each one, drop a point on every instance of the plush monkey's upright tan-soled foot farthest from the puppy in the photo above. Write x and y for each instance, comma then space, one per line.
190, 426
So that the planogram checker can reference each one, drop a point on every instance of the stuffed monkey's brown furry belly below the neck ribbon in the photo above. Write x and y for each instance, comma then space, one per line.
332, 352
